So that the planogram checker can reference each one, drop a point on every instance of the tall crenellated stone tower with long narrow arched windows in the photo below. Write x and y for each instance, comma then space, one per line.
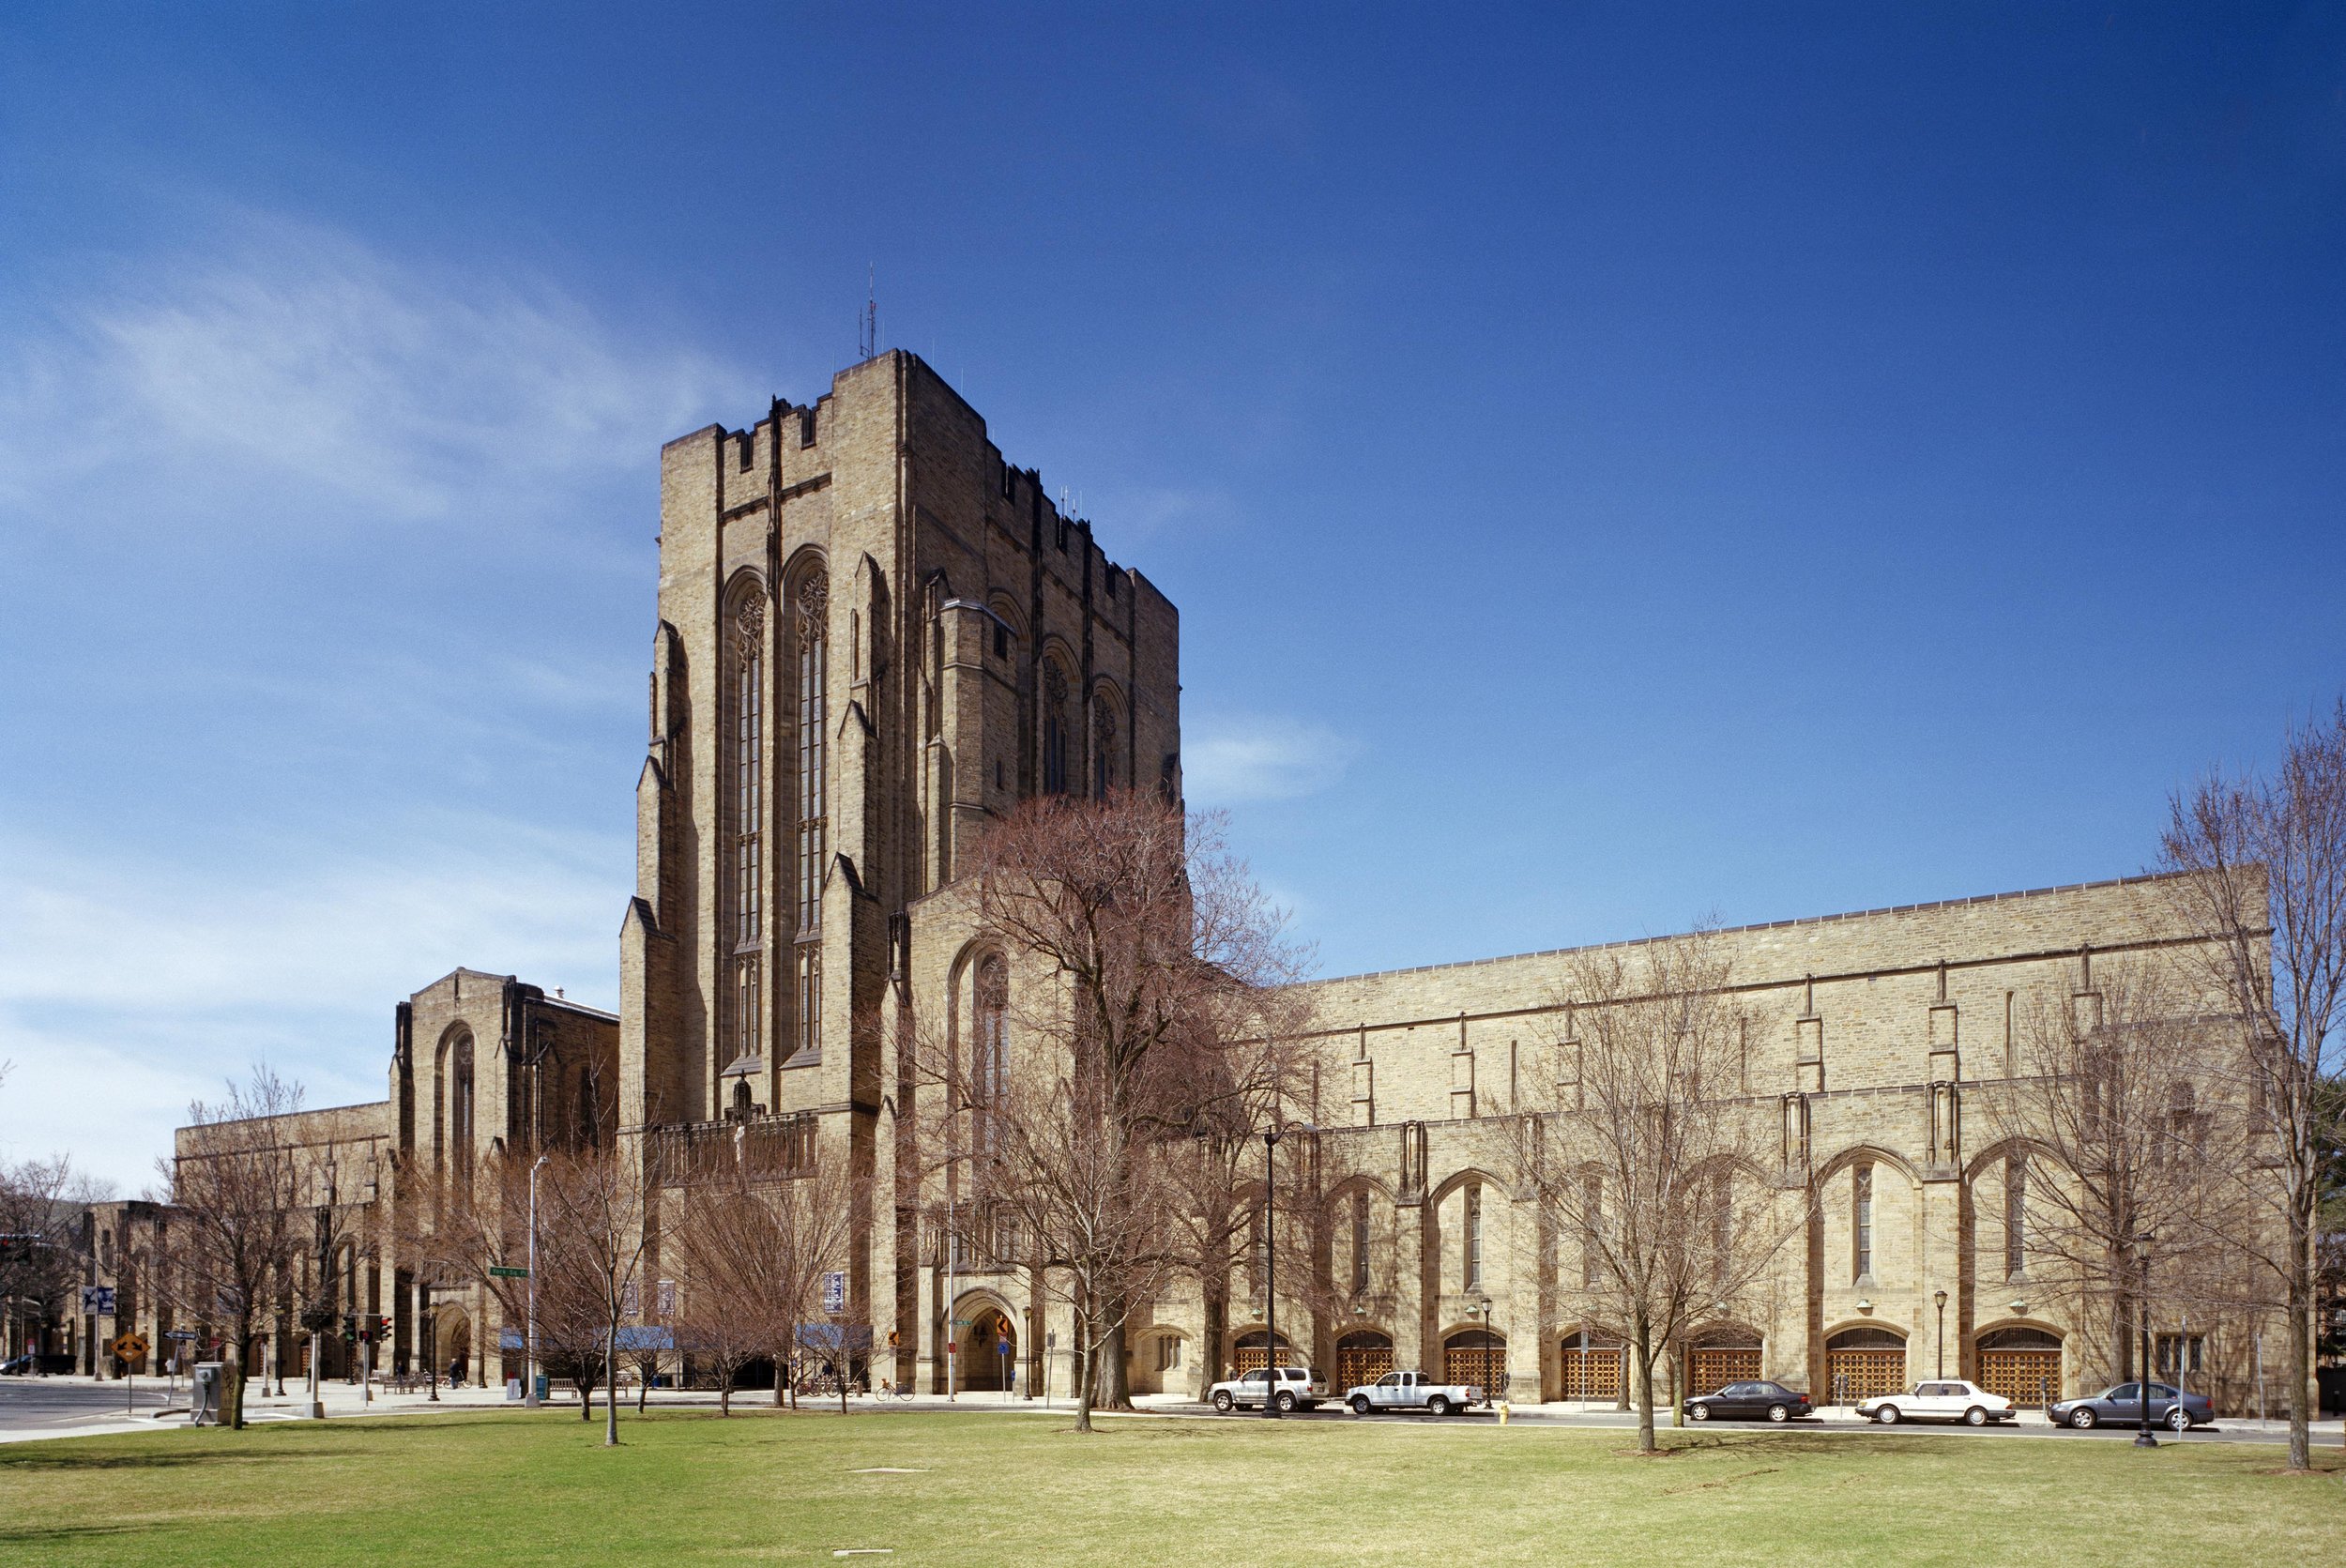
874, 637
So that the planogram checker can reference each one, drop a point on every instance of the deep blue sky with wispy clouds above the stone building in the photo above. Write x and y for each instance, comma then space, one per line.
1618, 466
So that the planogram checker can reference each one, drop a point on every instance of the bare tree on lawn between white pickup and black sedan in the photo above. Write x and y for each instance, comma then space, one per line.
1646, 1161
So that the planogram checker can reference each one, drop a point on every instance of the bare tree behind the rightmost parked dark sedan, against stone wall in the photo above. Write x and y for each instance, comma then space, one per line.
2120, 1123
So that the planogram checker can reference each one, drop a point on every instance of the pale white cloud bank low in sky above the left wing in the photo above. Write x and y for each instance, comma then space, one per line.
128, 989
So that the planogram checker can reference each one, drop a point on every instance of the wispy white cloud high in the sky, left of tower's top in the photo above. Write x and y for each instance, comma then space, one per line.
313, 377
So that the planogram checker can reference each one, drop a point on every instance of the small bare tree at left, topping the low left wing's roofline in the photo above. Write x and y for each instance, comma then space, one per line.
236, 1184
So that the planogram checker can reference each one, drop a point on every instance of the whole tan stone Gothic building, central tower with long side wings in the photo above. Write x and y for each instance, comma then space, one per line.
874, 635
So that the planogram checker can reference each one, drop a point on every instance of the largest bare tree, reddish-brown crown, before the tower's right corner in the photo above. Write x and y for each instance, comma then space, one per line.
1146, 952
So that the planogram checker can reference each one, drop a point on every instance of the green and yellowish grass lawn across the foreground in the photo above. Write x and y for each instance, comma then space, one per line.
994, 1489
